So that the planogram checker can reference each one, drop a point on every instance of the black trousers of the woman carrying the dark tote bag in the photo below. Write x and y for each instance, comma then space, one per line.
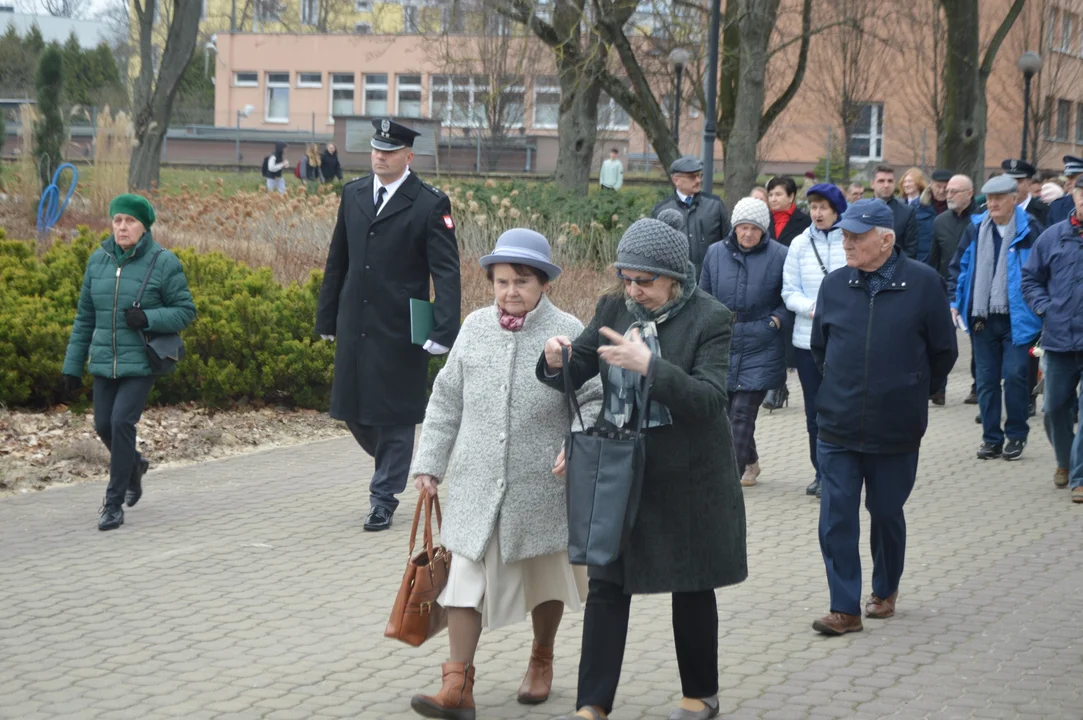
606, 632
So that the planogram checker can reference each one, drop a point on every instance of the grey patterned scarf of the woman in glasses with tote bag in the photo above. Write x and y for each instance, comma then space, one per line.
623, 386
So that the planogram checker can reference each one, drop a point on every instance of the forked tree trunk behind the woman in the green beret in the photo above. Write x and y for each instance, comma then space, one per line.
154, 98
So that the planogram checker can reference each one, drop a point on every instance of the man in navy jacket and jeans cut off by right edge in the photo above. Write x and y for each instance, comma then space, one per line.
1053, 286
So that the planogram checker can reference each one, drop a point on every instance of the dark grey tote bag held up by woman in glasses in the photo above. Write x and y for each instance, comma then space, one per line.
605, 476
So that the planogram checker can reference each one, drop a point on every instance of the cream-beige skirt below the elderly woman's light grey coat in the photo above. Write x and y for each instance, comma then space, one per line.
506, 593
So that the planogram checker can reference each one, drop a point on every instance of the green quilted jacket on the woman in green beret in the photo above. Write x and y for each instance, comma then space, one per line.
100, 334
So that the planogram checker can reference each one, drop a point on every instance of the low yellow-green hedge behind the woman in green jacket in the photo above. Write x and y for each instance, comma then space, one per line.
253, 338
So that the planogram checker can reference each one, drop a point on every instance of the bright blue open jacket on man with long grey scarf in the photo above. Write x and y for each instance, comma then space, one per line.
1025, 324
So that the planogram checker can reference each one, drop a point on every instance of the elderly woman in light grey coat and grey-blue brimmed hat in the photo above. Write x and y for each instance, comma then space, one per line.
495, 437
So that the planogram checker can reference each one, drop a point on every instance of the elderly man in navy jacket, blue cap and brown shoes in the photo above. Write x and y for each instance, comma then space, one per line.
883, 336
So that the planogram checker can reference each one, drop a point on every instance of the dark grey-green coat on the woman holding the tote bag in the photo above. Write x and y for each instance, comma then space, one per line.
690, 531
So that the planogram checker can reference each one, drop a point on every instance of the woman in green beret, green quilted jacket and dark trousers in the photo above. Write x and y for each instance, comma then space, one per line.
109, 333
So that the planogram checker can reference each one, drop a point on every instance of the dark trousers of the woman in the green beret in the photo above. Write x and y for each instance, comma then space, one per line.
119, 405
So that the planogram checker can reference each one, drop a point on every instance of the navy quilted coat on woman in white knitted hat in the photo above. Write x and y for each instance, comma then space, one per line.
750, 285
